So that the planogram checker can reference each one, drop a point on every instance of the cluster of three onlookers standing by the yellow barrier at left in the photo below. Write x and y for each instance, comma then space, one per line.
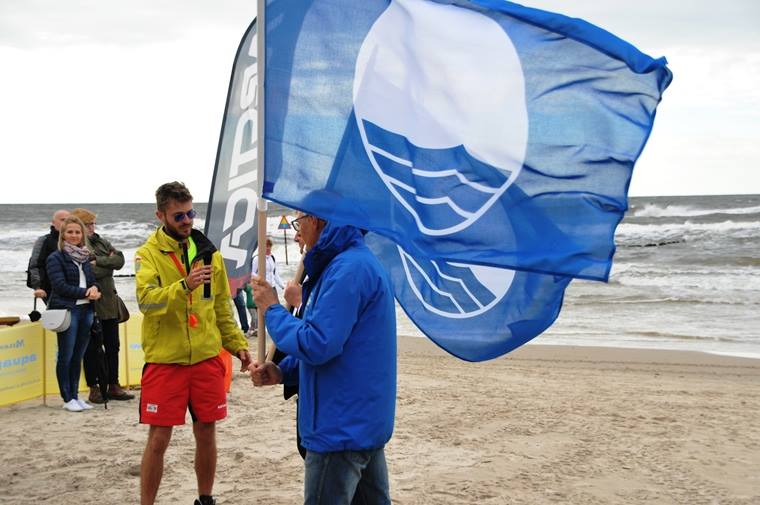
72, 268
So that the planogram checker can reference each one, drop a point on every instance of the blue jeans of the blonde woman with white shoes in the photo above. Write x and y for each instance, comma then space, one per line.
72, 344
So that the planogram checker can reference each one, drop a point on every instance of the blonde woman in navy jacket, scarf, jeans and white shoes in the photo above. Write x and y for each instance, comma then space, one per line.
73, 287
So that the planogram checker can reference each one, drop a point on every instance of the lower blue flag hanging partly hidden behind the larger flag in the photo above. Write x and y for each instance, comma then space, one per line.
473, 312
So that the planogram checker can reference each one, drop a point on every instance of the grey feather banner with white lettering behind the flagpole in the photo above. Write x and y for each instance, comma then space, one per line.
231, 217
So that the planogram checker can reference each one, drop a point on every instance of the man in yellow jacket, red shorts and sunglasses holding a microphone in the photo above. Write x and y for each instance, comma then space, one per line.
184, 294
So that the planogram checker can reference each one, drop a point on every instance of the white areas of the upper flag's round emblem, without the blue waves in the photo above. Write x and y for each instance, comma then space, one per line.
443, 76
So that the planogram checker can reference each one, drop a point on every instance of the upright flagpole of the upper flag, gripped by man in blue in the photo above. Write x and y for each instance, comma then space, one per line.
261, 203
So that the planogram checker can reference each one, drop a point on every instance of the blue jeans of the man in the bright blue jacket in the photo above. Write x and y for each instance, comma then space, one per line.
346, 478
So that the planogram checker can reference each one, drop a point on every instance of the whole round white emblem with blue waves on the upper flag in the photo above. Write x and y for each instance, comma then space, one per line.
444, 153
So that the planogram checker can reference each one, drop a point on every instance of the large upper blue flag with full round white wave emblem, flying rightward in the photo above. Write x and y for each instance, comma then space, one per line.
477, 132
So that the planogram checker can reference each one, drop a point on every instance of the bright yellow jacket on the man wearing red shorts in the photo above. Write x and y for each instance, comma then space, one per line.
163, 298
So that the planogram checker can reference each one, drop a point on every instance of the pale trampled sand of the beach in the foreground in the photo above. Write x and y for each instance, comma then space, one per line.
577, 425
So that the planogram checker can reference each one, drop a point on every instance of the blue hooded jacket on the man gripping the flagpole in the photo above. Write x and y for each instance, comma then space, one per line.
342, 353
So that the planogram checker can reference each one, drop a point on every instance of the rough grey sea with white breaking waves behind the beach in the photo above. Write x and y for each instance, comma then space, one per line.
685, 276
